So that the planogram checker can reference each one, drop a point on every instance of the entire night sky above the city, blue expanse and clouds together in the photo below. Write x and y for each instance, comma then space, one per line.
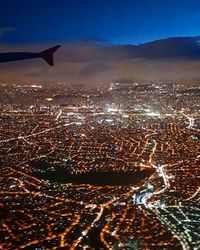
95, 36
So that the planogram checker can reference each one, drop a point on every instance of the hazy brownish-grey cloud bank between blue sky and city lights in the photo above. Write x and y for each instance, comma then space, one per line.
174, 59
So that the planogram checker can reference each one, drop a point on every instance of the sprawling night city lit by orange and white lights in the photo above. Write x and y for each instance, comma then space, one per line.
114, 166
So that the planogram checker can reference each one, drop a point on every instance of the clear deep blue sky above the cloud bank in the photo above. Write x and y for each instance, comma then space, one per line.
112, 21
